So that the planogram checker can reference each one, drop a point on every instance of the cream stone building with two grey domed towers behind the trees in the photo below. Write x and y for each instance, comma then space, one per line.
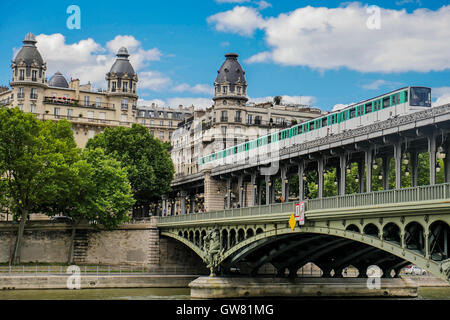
90, 111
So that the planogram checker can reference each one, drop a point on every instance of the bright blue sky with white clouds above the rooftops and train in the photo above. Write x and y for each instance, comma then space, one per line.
323, 55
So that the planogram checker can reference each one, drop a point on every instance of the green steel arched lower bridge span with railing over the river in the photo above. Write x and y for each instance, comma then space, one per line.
389, 229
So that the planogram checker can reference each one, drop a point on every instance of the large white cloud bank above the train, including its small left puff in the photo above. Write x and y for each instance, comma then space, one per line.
331, 38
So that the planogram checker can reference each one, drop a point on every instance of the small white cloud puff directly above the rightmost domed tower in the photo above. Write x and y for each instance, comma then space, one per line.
240, 20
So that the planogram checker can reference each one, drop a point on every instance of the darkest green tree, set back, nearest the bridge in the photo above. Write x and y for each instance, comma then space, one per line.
147, 160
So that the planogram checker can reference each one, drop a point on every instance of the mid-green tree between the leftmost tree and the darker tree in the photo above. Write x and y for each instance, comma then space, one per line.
98, 192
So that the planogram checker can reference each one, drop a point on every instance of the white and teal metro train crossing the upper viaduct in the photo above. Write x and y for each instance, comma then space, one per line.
396, 103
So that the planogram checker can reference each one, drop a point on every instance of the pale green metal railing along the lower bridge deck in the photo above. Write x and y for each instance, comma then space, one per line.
422, 193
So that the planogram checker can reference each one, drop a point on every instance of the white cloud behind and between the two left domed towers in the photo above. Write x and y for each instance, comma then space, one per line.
87, 60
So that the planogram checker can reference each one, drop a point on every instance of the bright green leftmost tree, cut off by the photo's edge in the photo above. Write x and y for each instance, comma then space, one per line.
34, 157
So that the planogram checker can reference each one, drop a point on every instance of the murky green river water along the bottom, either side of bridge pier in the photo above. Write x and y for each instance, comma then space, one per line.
150, 294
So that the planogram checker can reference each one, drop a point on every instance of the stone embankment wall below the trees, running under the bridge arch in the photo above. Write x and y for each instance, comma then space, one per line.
137, 244
